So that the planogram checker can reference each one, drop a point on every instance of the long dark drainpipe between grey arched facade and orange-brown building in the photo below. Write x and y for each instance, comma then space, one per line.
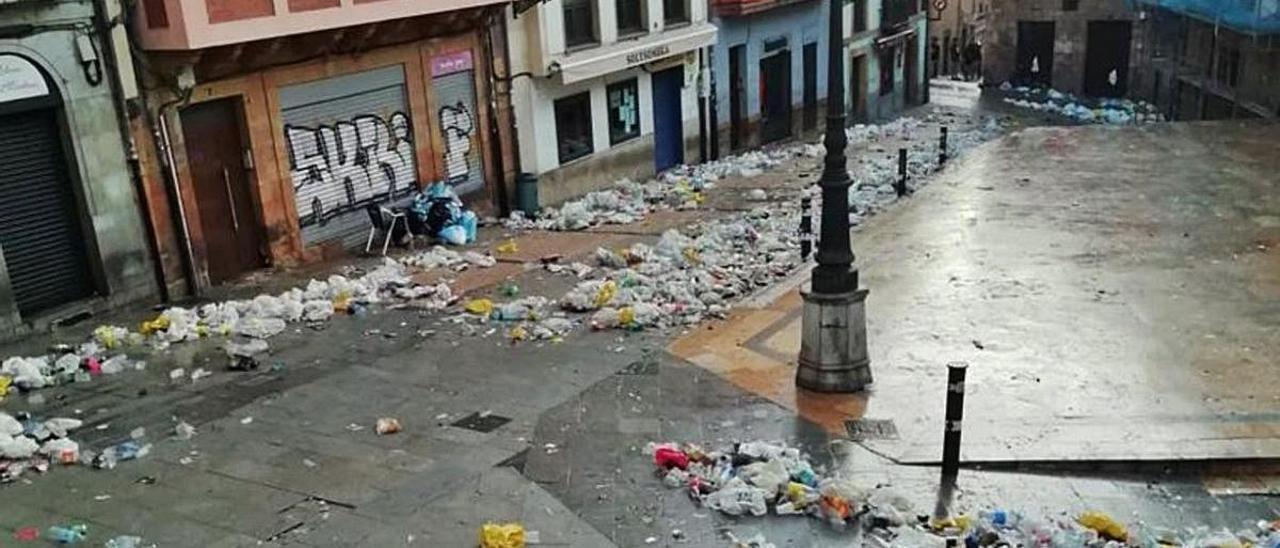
104, 28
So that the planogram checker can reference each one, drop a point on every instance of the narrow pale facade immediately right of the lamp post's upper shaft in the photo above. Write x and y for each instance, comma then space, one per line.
885, 44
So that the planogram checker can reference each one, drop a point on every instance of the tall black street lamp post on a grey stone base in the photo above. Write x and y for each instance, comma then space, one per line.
834, 327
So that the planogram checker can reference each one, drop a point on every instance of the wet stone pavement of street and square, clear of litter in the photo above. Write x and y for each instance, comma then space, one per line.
1066, 280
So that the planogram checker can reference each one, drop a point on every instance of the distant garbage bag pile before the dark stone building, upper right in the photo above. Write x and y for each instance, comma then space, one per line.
1116, 112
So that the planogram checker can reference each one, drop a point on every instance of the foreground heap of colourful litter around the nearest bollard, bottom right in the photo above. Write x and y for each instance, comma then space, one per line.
760, 478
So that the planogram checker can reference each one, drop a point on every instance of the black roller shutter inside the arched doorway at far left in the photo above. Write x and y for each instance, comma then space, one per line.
40, 236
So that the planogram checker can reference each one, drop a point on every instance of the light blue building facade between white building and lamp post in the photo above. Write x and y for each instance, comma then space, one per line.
769, 71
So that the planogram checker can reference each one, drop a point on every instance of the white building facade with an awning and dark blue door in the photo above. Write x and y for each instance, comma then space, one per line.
607, 89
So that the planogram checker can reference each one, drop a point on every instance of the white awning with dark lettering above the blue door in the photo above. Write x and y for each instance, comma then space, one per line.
597, 62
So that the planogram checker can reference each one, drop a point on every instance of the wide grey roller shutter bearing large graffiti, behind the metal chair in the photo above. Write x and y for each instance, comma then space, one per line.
350, 144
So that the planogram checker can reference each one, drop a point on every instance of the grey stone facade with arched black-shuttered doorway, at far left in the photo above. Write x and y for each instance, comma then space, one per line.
72, 236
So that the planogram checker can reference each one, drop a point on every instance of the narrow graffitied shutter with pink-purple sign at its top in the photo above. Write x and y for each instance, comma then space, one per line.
454, 81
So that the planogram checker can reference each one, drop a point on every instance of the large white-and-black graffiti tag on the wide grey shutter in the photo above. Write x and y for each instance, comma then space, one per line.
341, 168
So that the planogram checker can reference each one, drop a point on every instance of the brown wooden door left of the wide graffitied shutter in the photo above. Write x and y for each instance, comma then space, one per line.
216, 157
